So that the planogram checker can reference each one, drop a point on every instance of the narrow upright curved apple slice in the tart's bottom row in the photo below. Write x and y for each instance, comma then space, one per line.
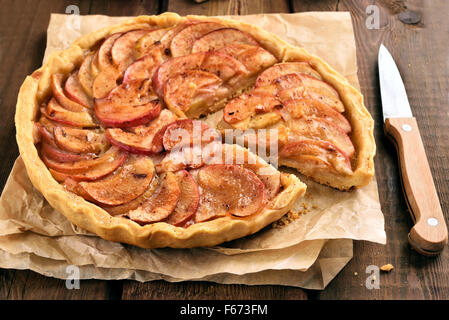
188, 200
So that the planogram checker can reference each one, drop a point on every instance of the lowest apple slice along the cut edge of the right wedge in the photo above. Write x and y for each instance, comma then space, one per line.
312, 156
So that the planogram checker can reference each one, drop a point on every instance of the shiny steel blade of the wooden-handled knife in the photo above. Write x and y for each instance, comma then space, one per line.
394, 97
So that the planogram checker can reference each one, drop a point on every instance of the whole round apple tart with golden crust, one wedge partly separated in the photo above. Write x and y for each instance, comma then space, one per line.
111, 130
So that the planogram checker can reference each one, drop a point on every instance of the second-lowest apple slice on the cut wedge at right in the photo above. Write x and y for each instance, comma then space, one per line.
322, 129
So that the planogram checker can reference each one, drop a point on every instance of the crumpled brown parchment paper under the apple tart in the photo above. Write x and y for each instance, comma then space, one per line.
308, 251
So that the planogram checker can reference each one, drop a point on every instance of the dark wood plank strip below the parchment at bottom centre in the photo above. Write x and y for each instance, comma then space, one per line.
195, 290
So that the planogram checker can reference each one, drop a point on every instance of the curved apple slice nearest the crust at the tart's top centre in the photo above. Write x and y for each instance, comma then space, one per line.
183, 41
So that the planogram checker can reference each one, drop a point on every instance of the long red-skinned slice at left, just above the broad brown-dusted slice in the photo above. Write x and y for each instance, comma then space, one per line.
91, 173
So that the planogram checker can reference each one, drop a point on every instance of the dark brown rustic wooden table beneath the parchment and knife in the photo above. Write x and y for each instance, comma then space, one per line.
422, 54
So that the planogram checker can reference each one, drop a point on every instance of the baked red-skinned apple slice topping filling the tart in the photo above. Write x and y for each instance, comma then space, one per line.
125, 130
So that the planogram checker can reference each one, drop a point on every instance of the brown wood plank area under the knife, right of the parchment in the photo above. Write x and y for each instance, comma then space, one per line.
422, 59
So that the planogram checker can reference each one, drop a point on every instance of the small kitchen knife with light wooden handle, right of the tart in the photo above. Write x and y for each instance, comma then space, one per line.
429, 233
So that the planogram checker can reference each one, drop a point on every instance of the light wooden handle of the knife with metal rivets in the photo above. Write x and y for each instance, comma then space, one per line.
429, 234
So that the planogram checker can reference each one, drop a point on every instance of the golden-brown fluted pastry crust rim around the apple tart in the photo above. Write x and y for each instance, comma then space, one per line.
86, 215
